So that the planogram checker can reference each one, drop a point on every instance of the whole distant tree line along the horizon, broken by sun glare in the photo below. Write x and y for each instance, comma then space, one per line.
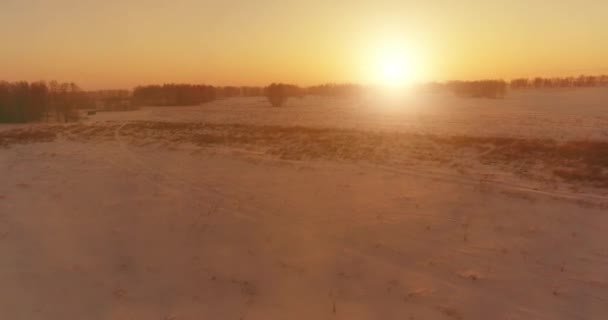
60, 102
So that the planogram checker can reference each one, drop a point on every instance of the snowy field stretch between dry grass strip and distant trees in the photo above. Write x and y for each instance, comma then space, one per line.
560, 114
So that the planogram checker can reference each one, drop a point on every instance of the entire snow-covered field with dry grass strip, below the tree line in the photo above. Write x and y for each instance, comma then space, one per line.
424, 207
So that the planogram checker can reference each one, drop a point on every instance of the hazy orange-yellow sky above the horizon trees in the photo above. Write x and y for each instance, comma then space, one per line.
116, 44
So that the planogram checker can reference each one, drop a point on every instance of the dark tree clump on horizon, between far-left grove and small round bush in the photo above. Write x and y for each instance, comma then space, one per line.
173, 95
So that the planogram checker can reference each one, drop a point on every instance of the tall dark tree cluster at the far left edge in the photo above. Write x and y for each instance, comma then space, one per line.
37, 101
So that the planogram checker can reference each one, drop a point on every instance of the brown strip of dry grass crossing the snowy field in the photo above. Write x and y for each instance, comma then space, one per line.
574, 161
